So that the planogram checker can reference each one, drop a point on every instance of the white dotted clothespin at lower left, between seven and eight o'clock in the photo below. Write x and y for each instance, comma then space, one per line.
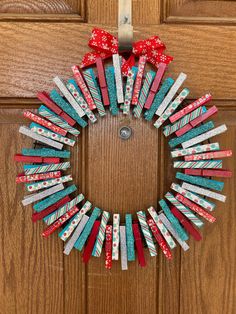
69, 228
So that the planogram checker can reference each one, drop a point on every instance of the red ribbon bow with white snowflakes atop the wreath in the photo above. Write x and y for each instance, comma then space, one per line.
106, 44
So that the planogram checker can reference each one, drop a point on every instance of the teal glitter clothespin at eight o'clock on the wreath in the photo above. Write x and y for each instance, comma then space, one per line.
54, 198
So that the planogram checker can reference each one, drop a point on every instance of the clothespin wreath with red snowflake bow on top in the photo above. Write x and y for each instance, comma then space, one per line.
126, 88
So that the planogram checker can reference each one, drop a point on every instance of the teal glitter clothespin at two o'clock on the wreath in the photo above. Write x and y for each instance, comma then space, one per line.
191, 134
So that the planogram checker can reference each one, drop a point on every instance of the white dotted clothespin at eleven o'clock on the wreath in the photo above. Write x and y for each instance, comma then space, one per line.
75, 91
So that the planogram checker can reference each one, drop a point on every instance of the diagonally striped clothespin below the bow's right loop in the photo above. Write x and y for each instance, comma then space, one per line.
143, 94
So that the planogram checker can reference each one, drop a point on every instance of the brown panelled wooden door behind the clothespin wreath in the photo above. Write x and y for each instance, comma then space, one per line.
41, 39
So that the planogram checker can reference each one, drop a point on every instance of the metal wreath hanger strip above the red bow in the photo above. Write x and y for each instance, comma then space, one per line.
125, 28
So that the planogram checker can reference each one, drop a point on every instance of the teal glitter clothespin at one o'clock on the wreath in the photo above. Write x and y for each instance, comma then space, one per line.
165, 87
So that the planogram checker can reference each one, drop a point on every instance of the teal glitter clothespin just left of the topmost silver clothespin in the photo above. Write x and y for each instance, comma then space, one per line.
110, 78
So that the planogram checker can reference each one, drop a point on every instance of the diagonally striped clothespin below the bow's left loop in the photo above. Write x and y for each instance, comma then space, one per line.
90, 79
